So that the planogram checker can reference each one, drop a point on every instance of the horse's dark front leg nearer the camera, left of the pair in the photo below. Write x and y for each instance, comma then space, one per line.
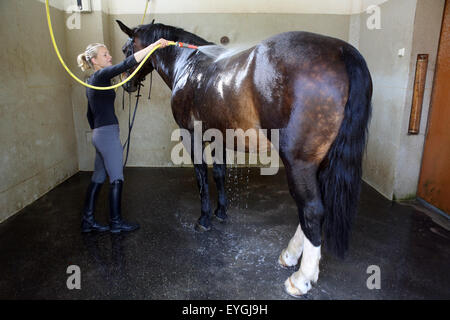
201, 173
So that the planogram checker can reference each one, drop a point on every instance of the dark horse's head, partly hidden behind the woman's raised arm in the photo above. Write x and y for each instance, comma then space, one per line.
135, 42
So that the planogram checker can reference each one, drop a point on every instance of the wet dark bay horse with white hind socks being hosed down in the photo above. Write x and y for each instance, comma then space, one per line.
315, 89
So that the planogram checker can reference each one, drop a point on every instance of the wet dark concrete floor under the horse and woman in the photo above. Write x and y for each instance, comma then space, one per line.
168, 259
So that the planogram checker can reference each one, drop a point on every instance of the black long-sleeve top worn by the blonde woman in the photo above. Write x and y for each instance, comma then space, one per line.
101, 102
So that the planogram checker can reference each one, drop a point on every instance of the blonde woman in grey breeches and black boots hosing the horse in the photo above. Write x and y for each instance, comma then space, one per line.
105, 137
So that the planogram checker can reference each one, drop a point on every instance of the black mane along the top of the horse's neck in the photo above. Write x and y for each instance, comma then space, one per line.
151, 32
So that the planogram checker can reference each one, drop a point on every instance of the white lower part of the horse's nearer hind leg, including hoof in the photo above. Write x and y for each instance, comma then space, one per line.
300, 282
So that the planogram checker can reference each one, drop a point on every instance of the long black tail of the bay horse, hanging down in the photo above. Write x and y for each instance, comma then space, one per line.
340, 172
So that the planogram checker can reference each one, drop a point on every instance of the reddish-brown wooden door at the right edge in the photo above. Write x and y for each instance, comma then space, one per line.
434, 181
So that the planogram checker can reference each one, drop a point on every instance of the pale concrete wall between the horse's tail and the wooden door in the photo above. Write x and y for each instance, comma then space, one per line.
393, 157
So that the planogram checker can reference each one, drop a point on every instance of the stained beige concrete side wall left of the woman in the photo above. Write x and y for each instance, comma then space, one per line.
37, 136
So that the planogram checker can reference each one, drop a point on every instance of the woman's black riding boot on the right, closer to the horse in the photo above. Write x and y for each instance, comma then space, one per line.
115, 196
